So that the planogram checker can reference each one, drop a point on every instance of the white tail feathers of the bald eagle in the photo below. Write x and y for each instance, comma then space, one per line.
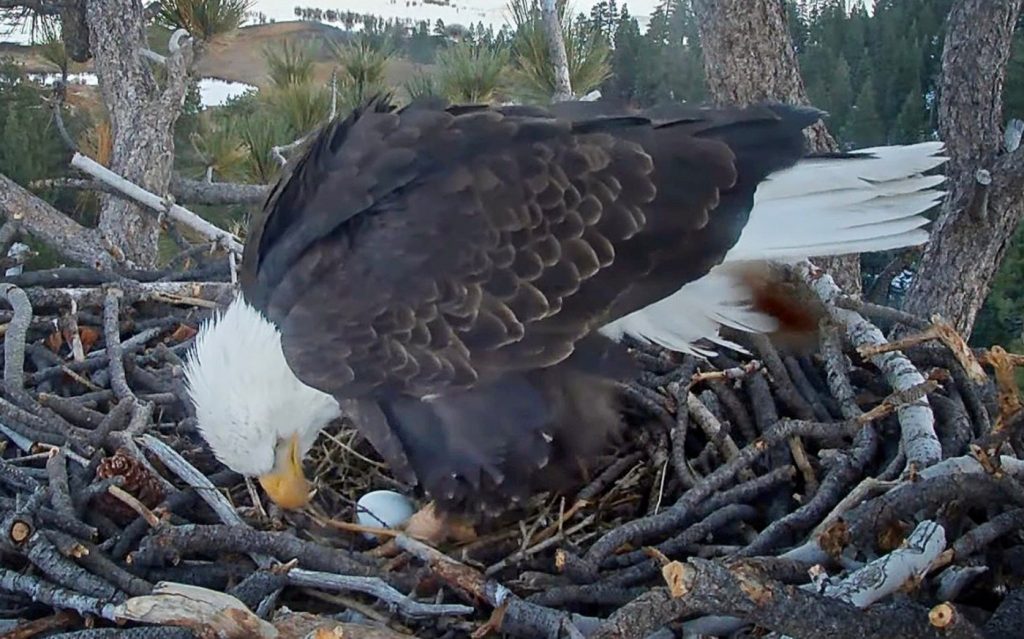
822, 206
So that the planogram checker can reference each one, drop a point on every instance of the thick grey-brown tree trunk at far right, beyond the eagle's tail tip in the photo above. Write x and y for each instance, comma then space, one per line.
977, 221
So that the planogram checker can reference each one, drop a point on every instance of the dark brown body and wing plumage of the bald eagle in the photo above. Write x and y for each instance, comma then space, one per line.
464, 253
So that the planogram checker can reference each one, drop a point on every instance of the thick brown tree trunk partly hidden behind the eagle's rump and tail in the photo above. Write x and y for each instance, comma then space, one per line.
749, 58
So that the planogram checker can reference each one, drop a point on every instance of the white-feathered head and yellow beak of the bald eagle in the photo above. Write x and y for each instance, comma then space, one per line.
258, 417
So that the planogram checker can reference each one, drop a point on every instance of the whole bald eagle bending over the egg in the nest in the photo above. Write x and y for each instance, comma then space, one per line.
458, 279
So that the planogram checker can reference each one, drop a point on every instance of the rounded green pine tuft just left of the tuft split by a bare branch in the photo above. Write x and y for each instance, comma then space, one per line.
472, 73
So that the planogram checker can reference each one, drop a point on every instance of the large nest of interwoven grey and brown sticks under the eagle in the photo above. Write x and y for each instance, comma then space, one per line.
857, 488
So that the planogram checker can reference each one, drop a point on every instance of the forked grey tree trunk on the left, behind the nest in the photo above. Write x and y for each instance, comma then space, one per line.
143, 117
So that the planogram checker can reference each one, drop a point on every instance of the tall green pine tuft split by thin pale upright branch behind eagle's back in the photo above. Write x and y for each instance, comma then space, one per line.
533, 76
